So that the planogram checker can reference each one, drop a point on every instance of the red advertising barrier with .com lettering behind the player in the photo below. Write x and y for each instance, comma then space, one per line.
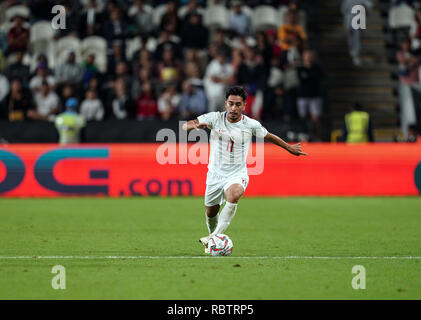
50, 170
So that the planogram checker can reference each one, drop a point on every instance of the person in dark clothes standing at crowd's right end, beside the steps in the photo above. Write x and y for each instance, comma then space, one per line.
309, 100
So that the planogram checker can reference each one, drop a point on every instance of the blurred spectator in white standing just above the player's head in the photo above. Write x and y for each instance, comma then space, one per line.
219, 74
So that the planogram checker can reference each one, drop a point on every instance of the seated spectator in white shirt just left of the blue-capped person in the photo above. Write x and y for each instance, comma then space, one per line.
46, 103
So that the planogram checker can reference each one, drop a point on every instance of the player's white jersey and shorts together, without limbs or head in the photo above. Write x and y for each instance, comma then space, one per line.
229, 146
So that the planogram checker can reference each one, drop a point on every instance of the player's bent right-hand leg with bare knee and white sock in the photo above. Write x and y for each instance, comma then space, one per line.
233, 193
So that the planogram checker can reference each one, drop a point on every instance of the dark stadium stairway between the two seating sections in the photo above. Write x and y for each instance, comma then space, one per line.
370, 84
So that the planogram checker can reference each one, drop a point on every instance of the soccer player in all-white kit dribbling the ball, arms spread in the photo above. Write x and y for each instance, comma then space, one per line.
230, 138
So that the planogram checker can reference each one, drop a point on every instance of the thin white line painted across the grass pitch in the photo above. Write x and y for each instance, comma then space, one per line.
207, 257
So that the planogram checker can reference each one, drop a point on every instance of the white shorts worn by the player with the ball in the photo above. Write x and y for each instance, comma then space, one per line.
217, 185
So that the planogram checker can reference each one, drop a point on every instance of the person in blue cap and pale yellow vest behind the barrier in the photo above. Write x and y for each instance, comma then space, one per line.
70, 124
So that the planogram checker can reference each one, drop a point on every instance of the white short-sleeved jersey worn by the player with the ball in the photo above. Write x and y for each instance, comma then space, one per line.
230, 142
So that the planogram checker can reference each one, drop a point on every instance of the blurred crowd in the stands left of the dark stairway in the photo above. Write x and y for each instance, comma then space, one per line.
156, 59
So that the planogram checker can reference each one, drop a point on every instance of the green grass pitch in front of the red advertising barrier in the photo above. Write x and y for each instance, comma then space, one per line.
155, 241
